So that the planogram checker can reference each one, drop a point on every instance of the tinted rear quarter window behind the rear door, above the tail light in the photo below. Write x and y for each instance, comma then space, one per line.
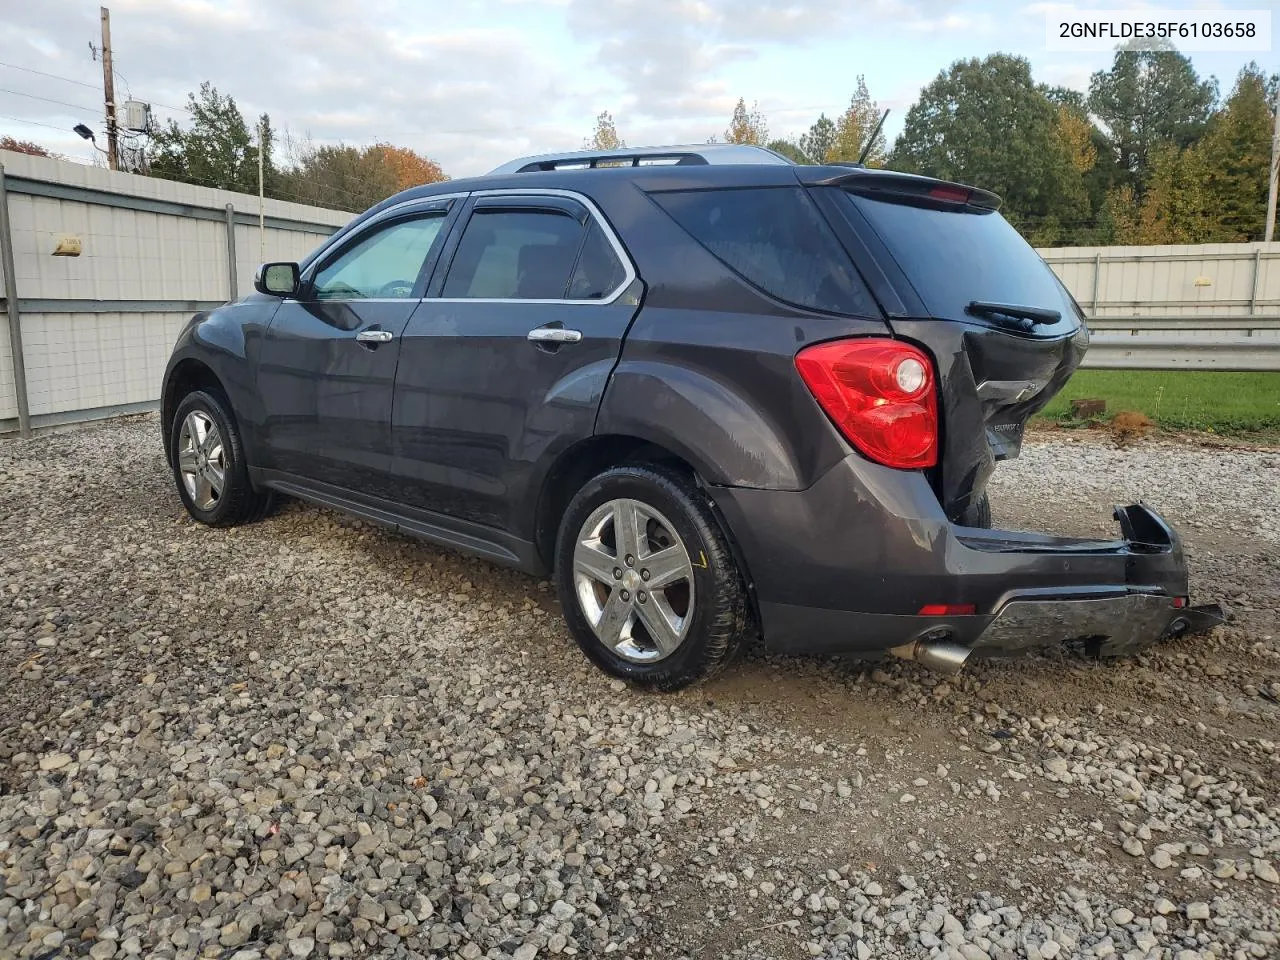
776, 240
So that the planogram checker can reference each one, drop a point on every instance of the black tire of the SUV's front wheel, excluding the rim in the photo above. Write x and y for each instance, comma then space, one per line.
237, 502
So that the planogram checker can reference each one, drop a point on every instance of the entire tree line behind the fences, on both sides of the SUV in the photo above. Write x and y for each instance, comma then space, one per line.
1150, 154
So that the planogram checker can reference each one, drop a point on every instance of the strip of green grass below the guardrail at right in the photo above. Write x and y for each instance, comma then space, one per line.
1181, 400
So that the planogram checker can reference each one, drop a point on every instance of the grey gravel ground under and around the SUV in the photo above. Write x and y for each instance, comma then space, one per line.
313, 738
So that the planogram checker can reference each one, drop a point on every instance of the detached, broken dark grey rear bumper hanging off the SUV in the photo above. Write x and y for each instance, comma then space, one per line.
845, 566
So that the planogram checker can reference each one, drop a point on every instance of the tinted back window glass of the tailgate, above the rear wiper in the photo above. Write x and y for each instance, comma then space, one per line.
954, 258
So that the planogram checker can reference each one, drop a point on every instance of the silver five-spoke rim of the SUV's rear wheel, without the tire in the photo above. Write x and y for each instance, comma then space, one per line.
634, 580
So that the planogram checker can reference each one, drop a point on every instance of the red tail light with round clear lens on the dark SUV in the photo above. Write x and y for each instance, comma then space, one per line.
881, 396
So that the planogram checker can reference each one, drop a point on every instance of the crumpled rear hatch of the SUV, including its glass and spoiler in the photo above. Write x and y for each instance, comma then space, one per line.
958, 280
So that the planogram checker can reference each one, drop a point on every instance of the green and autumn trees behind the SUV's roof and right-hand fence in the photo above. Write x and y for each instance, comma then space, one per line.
1150, 154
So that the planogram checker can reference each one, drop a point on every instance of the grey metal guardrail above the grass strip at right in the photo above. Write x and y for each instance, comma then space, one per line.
1185, 344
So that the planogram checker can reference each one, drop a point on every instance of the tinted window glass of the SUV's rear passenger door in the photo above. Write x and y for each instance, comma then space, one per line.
515, 255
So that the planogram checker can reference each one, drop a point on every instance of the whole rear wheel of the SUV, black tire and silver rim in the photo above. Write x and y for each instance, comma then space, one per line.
650, 588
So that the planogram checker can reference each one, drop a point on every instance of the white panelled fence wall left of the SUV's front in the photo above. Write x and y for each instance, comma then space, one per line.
98, 328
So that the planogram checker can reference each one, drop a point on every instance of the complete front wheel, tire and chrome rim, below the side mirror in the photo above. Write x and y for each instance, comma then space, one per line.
209, 465
